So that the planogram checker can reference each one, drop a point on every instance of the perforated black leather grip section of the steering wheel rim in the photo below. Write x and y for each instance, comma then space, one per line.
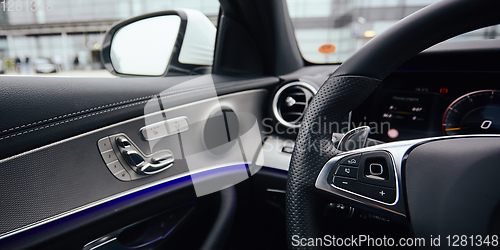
313, 148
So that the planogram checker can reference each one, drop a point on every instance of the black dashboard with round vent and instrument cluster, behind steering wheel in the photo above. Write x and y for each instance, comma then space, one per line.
449, 89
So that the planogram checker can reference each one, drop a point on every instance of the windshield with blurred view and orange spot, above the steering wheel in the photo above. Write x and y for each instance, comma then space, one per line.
330, 31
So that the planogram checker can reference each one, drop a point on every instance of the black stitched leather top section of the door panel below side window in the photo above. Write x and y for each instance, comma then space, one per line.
40, 110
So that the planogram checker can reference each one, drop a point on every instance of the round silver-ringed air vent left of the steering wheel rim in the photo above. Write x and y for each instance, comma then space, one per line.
291, 101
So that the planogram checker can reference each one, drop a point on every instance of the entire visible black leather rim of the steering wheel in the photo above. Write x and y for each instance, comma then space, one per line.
352, 83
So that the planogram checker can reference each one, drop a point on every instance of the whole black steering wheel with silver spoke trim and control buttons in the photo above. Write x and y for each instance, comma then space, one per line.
440, 186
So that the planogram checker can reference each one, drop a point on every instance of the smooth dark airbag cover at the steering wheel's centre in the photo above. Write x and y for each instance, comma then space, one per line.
452, 186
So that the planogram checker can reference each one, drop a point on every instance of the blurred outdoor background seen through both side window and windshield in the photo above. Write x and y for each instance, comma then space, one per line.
67, 39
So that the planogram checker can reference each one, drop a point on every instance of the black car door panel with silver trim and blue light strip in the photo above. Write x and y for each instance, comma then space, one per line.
54, 177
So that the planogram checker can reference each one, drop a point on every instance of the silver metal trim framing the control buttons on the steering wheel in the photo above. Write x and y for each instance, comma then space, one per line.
398, 151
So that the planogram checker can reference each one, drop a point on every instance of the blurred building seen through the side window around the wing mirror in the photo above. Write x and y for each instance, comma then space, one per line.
75, 28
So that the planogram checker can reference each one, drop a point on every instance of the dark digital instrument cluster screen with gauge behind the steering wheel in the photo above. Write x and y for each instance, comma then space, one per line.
412, 105
